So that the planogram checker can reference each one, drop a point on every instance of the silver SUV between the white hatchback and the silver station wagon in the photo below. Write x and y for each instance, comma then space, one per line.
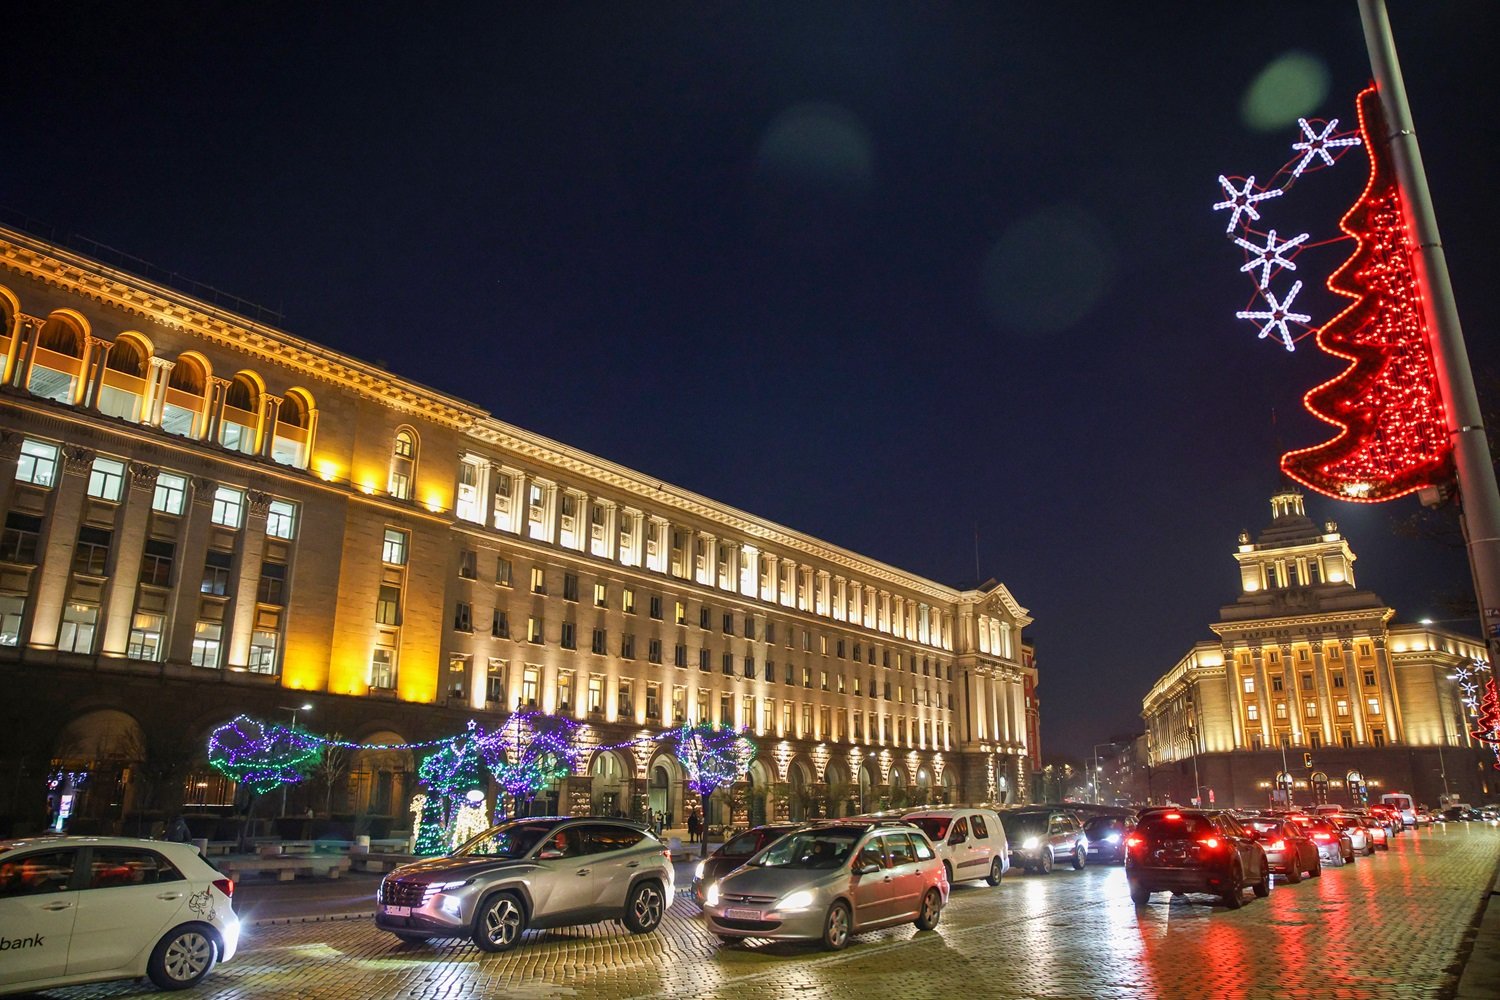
539, 872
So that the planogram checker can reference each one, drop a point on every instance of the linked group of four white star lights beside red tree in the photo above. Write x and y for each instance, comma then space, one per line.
1267, 253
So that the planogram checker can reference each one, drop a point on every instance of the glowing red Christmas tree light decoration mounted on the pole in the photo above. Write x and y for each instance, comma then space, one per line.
1393, 439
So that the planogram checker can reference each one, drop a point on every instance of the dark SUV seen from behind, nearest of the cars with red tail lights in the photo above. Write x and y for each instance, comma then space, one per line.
1195, 851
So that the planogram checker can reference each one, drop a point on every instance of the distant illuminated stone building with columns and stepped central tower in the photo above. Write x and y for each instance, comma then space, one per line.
1309, 668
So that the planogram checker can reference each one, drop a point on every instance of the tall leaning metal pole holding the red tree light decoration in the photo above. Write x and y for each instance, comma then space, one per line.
1475, 473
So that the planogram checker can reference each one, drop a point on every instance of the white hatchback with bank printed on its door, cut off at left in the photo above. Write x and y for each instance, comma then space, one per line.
86, 909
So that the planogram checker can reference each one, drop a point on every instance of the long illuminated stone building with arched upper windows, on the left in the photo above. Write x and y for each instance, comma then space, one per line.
211, 516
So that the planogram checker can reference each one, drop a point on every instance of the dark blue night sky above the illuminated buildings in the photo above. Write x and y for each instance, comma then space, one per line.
898, 277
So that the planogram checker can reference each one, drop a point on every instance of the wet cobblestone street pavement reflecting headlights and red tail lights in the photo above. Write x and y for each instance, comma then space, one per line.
1390, 926
